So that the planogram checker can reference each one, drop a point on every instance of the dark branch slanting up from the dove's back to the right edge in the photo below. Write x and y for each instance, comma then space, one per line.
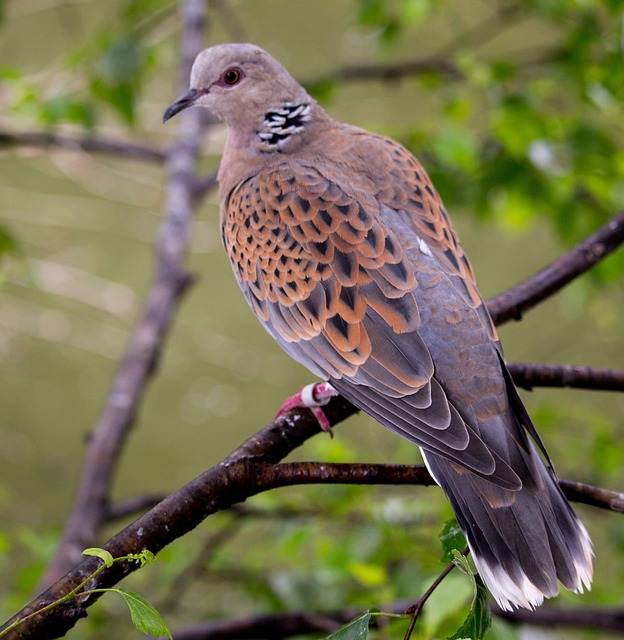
511, 304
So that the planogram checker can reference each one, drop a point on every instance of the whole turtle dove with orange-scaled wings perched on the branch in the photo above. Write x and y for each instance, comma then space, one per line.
346, 254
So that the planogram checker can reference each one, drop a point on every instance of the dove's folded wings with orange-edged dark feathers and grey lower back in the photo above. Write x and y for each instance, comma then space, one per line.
342, 276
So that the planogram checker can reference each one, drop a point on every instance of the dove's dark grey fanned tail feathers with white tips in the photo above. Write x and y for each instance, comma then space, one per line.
522, 542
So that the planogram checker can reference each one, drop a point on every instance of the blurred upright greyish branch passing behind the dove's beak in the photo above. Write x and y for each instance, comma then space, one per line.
139, 362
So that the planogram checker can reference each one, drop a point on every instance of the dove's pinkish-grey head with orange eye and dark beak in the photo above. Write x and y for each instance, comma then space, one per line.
239, 83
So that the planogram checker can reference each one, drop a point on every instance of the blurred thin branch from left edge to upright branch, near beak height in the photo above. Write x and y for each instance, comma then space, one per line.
90, 143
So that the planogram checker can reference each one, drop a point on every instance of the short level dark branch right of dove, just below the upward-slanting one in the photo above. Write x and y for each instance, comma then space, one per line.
529, 375
